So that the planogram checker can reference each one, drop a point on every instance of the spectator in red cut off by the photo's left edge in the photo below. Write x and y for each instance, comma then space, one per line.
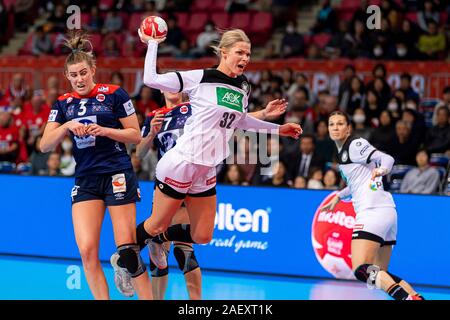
9, 138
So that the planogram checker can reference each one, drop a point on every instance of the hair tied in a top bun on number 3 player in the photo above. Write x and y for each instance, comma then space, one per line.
78, 42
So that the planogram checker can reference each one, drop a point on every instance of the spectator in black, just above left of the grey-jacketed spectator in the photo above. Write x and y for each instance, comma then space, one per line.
405, 148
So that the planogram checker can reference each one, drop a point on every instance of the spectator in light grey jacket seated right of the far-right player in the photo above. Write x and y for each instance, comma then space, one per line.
422, 179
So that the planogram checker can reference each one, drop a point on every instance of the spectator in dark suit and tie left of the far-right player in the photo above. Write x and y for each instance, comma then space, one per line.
302, 162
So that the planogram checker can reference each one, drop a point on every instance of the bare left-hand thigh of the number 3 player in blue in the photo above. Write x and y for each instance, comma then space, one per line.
87, 217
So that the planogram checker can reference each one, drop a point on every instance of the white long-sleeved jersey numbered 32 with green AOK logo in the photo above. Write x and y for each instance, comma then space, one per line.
219, 105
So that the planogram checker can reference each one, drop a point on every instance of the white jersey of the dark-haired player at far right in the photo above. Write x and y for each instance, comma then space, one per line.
356, 168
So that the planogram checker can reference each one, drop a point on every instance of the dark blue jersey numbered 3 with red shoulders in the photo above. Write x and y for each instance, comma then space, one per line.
104, 105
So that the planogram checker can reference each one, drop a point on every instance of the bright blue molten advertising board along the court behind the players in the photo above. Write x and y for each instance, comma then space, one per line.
258, 229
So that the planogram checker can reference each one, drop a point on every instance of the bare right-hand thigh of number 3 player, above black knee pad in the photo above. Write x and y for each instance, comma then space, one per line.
123, 219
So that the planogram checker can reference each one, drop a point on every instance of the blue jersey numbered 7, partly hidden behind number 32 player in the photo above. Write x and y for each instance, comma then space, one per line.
171, 129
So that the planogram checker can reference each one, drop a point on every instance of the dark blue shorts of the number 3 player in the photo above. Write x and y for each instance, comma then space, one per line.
114, 189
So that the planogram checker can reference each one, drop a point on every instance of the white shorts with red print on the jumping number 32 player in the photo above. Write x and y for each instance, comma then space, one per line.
177, 177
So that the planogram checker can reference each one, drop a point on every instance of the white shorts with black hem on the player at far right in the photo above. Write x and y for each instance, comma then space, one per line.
377, 224
